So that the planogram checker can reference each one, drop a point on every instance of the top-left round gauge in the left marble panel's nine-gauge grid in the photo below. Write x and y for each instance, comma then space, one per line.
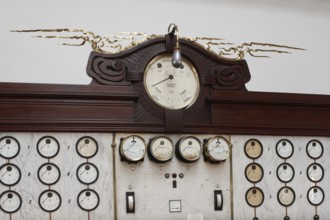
9, 147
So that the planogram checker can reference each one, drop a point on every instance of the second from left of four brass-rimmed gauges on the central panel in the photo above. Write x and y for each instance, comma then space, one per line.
161, 149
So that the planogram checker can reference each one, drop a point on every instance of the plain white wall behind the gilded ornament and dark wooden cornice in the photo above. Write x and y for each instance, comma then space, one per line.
298, 23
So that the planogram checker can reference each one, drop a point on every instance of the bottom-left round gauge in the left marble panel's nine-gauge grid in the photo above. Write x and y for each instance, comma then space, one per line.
10, 201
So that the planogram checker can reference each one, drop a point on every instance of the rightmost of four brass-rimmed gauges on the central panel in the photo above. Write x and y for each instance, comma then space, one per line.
217, 149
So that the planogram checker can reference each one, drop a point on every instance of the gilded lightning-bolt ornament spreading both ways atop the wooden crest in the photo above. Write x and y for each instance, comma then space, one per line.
122, 41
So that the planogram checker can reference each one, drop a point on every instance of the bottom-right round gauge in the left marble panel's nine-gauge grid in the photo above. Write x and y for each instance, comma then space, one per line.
88, 200
